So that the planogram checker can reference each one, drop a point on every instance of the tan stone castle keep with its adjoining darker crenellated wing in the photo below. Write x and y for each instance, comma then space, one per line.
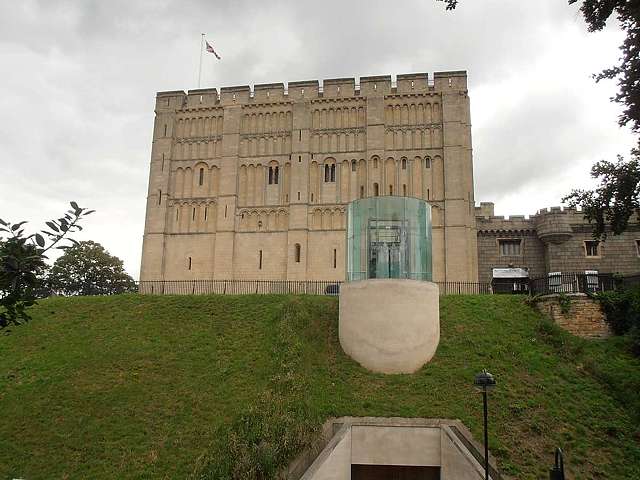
253, 184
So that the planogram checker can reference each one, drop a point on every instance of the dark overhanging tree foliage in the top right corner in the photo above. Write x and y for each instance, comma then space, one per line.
596, 13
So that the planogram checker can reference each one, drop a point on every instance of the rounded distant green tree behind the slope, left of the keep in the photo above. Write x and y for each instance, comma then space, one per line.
88, 269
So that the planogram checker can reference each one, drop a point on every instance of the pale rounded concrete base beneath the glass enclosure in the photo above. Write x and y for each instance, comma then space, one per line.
389, 325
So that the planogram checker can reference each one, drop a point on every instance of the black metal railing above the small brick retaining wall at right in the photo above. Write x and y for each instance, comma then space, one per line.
572, 283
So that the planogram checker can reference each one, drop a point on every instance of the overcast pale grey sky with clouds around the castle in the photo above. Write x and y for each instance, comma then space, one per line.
79, 79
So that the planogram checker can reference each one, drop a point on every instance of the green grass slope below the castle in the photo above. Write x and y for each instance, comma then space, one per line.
167, 387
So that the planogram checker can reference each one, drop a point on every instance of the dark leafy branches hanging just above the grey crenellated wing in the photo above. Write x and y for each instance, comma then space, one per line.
610, 206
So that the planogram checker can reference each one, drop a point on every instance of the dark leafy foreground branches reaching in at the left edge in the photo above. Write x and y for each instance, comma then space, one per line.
22, 261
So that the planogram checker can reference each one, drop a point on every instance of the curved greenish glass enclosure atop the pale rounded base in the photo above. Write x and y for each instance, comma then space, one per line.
389, 237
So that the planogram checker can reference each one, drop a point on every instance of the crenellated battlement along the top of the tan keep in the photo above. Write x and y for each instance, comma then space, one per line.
332, 88
